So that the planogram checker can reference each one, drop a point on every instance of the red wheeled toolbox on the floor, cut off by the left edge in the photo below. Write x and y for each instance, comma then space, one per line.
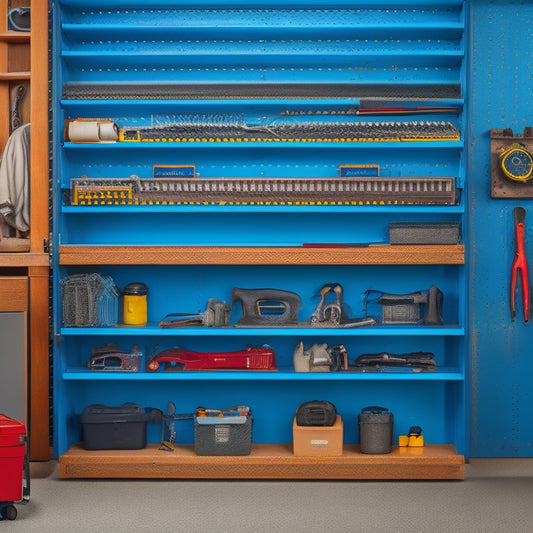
12, 464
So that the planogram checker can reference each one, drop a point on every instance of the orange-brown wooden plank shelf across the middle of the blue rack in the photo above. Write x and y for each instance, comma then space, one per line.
261, 255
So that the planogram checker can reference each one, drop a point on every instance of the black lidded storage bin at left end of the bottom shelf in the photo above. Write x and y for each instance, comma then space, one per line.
114, 428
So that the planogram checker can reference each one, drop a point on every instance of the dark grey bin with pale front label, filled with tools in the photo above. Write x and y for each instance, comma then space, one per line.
222, 438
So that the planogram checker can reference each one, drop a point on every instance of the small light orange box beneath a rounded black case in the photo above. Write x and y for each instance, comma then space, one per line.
318, 440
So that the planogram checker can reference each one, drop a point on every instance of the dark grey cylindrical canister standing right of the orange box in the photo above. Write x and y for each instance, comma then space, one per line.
375, 430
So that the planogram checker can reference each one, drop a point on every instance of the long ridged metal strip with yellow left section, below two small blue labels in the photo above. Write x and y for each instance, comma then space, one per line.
263, 191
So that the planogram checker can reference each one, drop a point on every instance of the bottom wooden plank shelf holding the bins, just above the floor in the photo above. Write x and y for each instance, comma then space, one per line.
267, 461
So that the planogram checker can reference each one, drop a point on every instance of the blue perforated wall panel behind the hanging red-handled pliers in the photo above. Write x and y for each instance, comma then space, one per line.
502, 358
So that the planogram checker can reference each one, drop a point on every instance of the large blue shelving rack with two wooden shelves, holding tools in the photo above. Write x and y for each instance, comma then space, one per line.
261, 60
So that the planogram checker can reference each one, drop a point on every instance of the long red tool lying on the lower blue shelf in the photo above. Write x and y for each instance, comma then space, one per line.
249, 359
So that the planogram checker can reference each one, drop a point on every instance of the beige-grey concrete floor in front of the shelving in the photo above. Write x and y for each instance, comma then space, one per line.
496, 496
